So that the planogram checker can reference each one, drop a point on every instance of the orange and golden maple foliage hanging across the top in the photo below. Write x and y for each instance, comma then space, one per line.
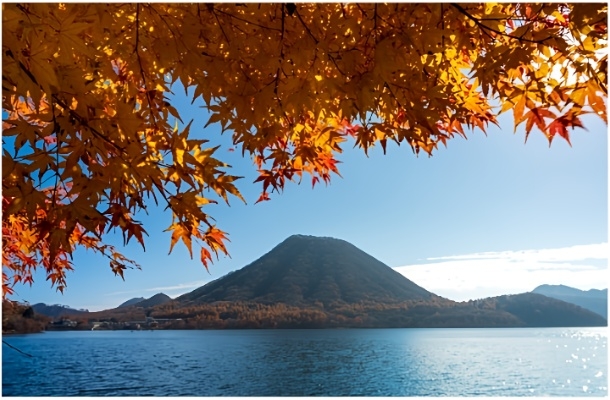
91, 132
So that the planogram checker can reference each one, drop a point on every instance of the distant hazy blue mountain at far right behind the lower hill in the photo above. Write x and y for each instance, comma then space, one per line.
594, 299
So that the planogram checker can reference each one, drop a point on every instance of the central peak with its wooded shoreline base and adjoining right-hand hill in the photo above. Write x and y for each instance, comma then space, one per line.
320, 282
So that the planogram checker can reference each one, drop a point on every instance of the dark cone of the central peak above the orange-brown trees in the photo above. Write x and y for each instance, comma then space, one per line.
308, 269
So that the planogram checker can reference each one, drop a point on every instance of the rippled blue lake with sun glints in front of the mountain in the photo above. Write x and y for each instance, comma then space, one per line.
339, 362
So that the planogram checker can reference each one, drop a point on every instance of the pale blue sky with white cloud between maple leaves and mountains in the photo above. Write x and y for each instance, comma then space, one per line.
485, 216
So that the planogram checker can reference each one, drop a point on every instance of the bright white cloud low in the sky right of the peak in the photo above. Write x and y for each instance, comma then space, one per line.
478, 275
